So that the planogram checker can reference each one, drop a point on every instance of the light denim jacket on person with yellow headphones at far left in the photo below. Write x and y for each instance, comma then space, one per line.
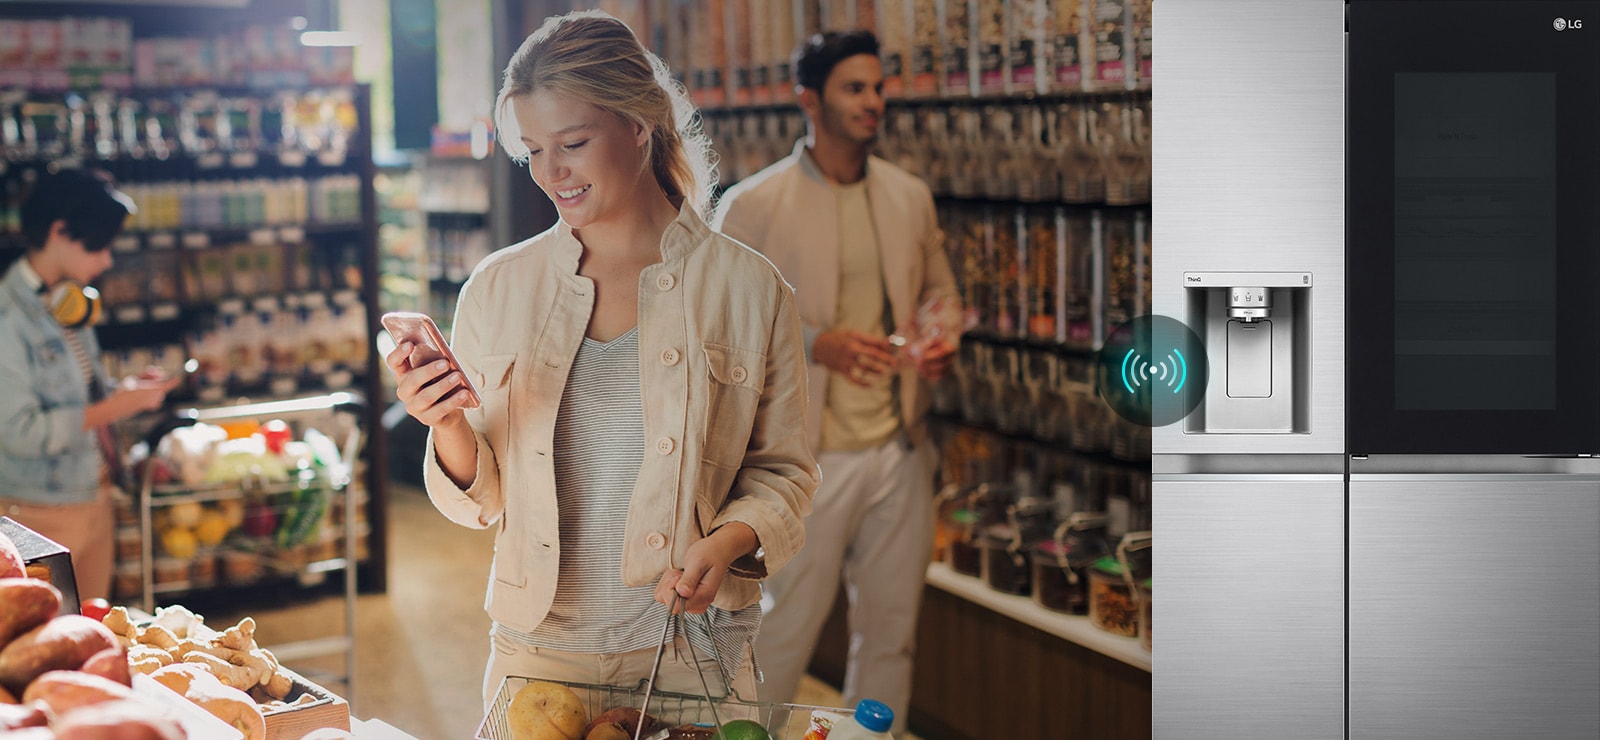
46, 452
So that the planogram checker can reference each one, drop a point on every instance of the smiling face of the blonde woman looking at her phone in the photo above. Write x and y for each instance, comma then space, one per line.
588, 161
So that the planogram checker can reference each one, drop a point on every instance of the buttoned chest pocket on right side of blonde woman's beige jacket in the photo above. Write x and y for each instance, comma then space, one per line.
735, 379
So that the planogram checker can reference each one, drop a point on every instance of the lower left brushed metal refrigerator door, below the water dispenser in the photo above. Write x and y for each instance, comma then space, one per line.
1252, 605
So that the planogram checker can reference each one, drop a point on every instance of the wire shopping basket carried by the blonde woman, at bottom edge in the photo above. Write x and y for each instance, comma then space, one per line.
782, 722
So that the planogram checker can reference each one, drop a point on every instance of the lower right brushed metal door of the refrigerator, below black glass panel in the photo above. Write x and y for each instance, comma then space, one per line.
1473, 611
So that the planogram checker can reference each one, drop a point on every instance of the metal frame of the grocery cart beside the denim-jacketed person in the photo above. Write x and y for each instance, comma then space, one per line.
334, 478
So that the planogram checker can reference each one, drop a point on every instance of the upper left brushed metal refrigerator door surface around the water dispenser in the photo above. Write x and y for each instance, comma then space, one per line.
1249, 142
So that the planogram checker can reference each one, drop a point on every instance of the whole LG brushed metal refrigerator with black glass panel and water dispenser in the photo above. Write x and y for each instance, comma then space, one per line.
1382, 220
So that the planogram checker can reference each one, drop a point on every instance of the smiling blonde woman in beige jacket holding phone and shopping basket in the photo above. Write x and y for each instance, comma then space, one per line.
642, 432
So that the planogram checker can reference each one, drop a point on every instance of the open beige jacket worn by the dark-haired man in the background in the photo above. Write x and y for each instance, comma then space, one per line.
790, 212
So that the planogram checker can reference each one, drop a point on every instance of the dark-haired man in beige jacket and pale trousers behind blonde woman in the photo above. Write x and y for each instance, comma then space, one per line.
862, 244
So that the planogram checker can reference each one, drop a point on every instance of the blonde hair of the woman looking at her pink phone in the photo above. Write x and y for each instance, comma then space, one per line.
596, 58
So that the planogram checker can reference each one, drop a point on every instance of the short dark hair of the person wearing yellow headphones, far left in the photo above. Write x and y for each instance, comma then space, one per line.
89, 204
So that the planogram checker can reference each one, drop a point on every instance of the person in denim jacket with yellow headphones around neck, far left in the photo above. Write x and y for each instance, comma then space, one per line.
55, 417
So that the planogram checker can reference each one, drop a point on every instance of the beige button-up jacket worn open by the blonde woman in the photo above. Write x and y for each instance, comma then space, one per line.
722, 376
